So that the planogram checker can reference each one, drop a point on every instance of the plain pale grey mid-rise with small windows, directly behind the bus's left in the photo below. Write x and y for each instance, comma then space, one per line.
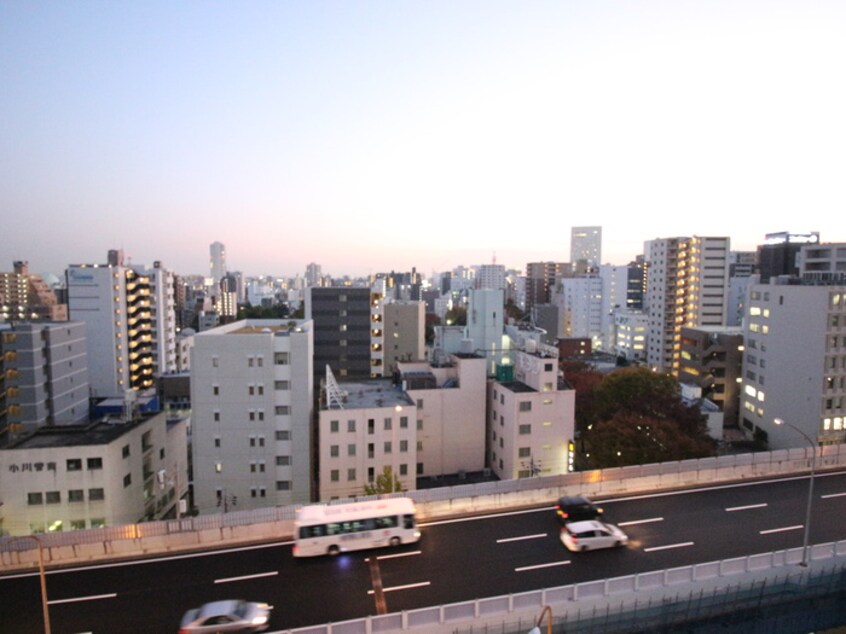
252, 403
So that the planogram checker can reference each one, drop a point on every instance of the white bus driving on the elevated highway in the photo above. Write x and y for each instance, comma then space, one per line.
328, 529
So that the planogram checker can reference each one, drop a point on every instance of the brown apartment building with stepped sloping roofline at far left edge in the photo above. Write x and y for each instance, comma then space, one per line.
27, 297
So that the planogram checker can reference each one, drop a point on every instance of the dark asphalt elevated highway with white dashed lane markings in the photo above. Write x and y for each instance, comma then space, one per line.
454, 561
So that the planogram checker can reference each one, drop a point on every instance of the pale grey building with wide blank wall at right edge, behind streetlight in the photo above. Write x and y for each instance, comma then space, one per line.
794, 365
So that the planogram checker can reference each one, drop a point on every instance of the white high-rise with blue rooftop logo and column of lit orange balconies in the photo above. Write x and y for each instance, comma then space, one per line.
130, 318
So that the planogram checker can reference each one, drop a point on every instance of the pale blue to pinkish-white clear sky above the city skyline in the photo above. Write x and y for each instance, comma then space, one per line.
374, 136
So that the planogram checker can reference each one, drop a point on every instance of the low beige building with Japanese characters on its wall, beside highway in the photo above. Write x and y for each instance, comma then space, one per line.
105, 473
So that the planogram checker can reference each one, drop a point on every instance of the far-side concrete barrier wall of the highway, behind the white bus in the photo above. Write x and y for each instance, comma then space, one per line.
276, 523
